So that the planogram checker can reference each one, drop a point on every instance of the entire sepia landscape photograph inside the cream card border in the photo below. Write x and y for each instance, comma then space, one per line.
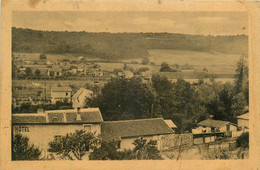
130, 85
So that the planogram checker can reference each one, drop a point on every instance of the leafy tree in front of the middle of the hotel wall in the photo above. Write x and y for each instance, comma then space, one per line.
73, 145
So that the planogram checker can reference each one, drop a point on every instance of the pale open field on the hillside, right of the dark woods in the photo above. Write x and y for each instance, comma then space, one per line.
215, 62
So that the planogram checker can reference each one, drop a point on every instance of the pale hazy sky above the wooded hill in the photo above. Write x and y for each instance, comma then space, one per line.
203, 23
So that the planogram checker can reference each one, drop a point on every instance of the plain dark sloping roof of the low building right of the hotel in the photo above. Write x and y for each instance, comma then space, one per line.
114, 130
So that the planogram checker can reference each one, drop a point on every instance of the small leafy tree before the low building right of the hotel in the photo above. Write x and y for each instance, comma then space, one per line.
144, 150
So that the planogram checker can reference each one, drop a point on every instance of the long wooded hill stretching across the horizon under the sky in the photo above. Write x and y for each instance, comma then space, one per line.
121, 45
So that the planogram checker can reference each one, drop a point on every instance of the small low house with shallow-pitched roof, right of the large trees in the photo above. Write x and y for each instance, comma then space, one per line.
214, 126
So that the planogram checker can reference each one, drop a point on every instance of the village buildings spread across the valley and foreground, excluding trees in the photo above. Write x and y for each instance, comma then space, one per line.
68, 113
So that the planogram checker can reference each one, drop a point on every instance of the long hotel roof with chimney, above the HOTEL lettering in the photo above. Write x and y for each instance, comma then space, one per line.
89, 115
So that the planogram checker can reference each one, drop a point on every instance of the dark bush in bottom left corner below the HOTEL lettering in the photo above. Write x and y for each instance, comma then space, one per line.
22, 150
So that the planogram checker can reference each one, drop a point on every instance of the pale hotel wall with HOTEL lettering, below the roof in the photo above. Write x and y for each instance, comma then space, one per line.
41, 135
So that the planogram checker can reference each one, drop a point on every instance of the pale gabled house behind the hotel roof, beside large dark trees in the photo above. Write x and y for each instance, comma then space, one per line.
78, 99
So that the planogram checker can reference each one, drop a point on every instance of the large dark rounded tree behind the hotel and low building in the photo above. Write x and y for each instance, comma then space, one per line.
123, 98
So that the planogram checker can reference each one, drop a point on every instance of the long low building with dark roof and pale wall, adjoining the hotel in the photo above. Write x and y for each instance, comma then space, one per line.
126, 131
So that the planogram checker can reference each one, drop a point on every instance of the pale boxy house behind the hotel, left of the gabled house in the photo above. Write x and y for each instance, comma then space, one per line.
60, 94
